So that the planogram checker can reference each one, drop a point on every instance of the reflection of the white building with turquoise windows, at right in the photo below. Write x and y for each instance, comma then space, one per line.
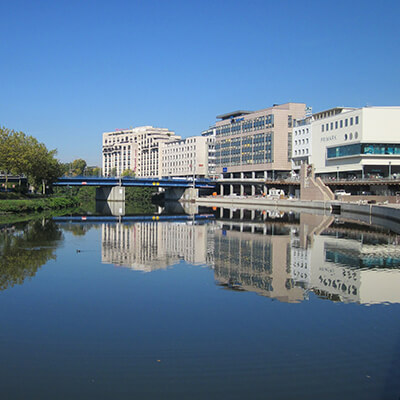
345, 264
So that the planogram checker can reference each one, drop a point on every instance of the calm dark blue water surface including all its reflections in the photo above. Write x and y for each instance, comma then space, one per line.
255, 305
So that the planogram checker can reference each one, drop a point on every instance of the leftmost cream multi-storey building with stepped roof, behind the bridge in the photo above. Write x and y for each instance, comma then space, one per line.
136, 150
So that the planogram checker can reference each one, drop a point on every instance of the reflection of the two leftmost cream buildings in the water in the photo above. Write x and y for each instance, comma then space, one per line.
147, 246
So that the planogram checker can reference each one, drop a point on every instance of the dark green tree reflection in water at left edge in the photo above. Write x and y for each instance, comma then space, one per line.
25, 250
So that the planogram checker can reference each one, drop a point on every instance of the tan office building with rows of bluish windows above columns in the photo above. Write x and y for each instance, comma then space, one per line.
256, 144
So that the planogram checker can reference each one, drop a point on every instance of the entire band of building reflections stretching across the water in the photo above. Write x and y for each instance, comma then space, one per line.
283, 258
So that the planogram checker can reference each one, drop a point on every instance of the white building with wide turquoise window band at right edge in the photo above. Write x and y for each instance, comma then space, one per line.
356, 142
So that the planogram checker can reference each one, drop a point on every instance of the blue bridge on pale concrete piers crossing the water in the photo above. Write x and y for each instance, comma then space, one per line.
113, 188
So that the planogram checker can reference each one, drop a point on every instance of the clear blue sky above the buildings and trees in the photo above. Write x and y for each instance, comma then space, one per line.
71, 70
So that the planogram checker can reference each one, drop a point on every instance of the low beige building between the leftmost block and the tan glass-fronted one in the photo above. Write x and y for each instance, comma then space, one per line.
187, 157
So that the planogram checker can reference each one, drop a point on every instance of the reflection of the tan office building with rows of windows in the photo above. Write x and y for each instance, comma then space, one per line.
256, 260
